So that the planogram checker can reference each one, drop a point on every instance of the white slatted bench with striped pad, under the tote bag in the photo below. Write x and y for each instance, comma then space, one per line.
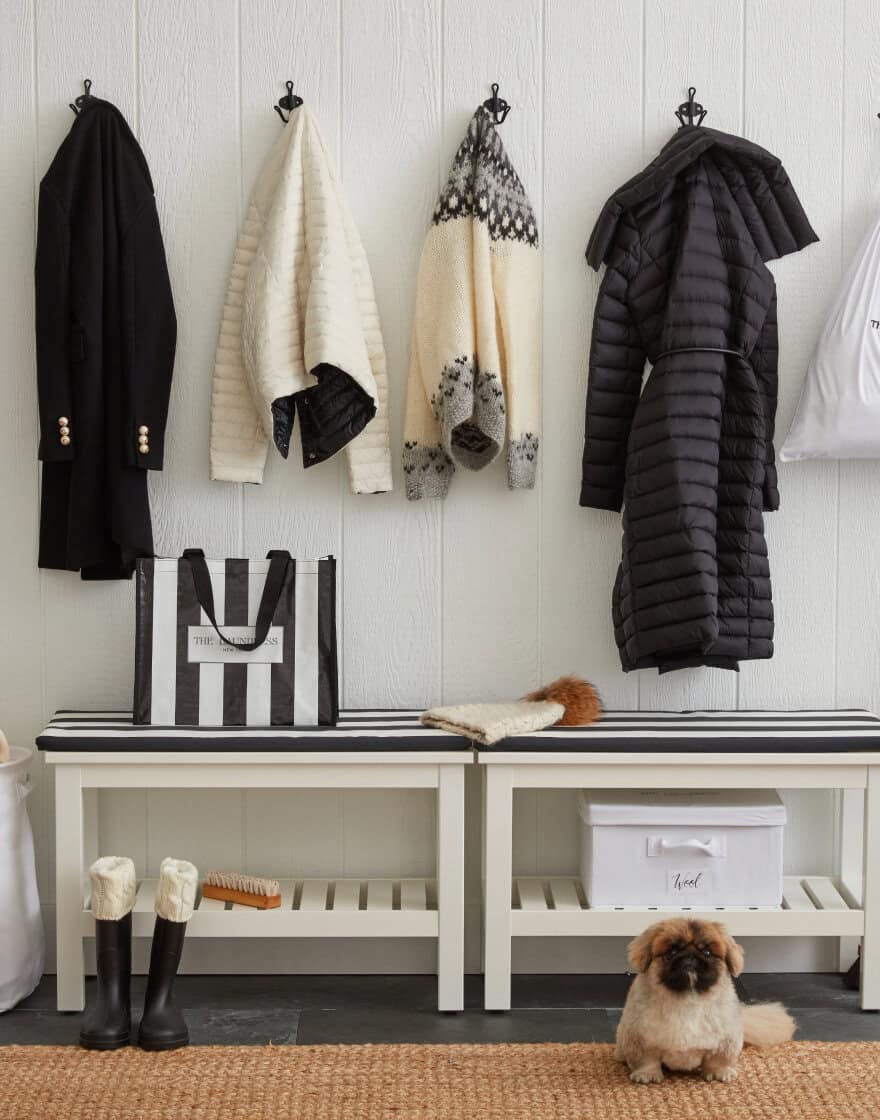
367, 750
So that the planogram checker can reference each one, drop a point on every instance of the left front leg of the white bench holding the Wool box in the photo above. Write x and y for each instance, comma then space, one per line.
498, 855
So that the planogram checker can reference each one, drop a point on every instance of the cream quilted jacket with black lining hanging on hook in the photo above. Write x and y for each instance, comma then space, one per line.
299, 297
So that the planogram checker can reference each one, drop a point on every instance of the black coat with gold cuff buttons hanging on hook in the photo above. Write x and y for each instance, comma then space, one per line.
106, 348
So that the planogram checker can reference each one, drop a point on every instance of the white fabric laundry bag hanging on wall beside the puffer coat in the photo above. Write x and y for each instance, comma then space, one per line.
839, 413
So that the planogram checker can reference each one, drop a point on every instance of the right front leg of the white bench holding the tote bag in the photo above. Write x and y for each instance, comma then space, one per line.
451, 890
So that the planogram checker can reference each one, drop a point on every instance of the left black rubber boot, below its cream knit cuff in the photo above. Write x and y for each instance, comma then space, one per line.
108, 1025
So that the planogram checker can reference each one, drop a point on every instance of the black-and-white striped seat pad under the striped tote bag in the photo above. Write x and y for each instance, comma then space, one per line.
375, 730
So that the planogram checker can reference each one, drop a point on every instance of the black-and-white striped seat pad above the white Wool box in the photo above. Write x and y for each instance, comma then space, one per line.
716, 732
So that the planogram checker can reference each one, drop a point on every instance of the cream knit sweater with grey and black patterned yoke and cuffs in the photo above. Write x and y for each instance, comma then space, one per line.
475, 369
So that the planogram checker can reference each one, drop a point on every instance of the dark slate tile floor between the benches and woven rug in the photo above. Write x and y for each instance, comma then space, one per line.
256, 1011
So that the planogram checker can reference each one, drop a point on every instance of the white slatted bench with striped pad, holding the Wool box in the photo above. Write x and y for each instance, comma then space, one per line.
662, 751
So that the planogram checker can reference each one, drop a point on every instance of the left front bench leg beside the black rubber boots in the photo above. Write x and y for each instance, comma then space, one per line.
69, 888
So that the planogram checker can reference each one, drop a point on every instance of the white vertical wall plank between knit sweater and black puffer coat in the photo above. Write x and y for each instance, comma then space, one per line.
593, 143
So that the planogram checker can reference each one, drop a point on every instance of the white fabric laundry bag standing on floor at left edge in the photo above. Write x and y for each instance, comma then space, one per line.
22, 937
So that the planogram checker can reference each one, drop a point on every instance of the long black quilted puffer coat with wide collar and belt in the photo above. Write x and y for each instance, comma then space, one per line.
690, 458
